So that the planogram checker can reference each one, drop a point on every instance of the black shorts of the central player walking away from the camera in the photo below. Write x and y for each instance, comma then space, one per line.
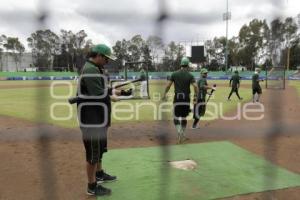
181, 107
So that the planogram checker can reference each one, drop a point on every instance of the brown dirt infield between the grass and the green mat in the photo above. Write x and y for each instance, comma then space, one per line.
29, 165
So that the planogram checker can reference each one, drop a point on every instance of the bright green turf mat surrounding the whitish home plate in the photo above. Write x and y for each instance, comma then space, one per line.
223, 170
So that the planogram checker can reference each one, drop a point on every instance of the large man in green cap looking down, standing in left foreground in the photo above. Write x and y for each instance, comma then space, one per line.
94, 109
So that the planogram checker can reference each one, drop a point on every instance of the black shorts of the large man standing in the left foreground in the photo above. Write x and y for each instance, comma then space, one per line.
95, 143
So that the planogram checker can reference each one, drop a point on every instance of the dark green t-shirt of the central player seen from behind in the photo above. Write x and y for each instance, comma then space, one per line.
182, 80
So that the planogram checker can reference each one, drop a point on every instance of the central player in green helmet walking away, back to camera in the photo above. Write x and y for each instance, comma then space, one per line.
182, 80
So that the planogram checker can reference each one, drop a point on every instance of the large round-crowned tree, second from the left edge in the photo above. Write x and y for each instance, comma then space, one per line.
44, 45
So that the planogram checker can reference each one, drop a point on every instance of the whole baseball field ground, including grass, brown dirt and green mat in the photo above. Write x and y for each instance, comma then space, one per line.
241, 150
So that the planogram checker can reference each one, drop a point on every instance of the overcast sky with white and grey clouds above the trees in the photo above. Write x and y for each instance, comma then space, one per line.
110, 20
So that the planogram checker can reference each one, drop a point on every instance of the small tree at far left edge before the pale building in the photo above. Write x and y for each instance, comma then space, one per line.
15, 49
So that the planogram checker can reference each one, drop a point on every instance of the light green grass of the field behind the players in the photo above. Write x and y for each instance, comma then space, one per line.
23, 103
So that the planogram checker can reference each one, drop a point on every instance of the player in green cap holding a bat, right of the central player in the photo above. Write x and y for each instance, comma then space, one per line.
200, 102
